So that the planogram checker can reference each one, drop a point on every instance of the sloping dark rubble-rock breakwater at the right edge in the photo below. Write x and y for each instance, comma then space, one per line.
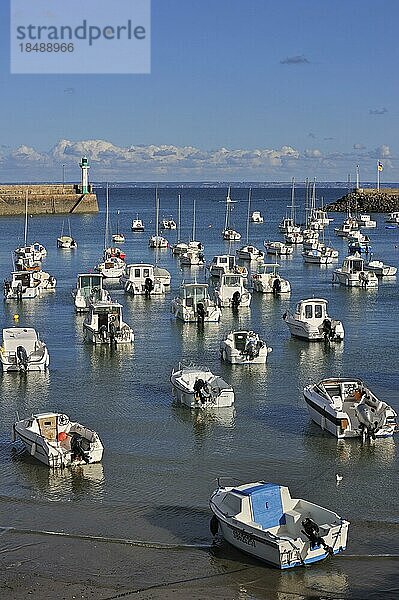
367, 200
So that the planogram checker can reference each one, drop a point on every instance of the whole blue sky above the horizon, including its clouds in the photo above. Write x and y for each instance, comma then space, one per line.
294, 87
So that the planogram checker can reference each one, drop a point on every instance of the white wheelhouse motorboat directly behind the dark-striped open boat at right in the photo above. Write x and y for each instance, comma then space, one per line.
311, 321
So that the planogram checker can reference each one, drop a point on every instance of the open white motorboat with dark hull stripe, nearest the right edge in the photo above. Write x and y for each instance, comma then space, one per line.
347, 408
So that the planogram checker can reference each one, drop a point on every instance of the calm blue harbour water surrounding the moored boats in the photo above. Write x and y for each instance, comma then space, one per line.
160, 460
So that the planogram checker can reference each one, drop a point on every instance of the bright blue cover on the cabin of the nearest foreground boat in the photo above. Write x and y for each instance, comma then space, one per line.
267, 508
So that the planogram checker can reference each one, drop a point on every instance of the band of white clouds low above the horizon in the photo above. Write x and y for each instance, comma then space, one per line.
167, 162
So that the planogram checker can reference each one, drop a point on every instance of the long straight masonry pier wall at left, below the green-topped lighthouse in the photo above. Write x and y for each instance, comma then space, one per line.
45, 199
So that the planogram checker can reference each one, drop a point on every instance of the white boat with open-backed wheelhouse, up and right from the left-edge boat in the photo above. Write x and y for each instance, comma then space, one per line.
104, 325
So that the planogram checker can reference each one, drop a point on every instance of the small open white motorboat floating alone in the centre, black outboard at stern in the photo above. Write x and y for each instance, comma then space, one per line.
198, 387
